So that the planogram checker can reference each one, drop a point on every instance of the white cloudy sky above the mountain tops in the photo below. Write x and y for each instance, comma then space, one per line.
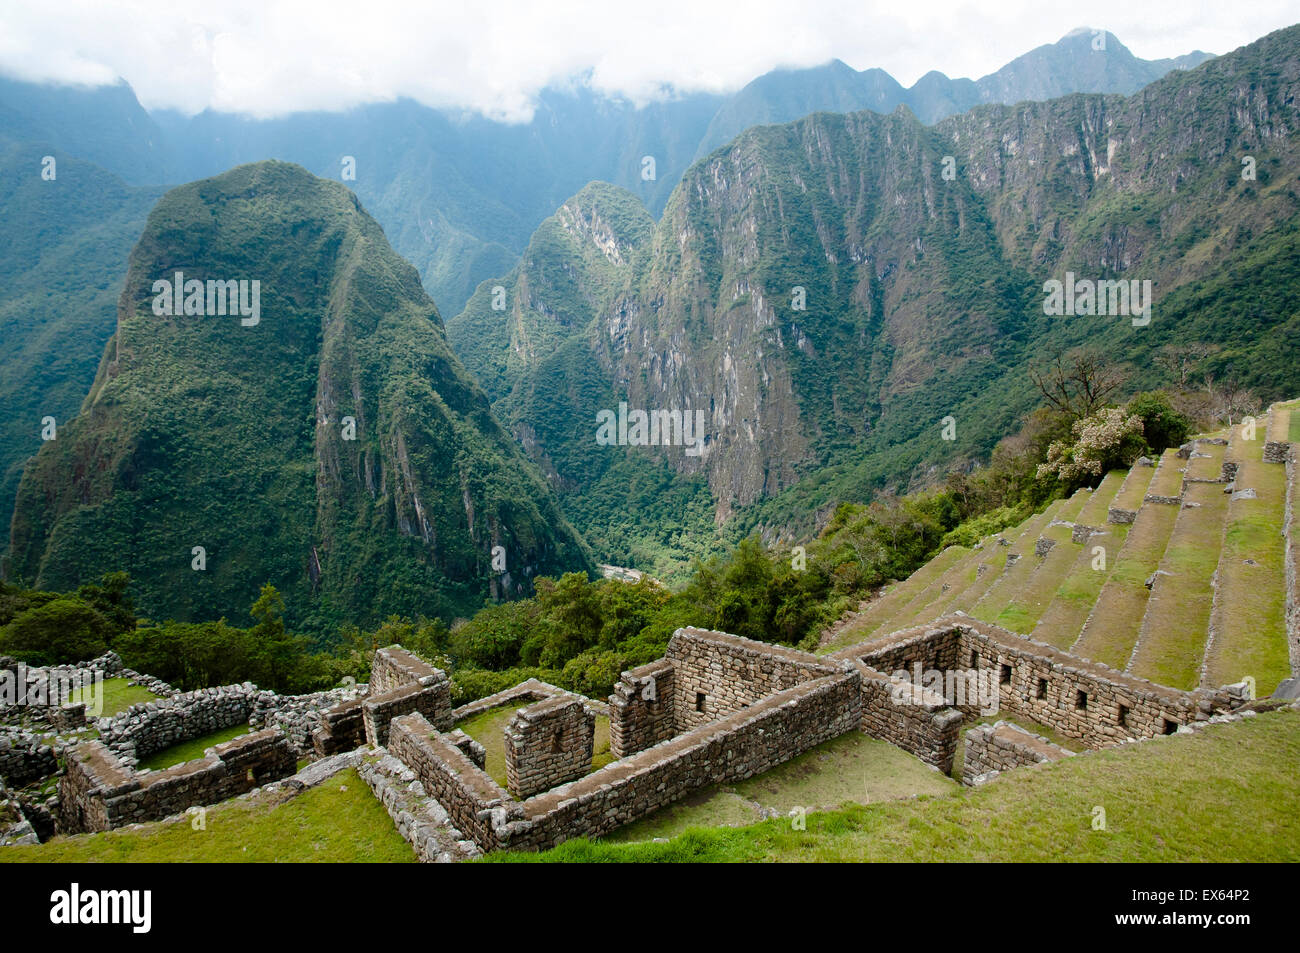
267, 58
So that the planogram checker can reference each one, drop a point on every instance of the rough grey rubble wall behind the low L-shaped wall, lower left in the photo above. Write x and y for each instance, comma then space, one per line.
151, 727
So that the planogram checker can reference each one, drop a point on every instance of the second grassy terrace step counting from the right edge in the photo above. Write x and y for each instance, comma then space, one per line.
1172, 639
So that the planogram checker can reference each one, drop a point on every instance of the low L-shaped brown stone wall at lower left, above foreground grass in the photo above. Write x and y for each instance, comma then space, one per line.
99, 792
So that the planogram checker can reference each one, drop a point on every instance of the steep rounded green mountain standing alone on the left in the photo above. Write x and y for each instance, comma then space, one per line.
326, 440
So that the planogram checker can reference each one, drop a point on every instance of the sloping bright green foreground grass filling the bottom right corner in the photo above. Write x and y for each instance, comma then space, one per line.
1225, 795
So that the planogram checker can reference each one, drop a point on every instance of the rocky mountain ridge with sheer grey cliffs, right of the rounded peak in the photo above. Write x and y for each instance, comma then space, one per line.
920, 257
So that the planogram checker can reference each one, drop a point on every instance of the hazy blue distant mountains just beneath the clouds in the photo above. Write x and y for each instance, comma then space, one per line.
460, 196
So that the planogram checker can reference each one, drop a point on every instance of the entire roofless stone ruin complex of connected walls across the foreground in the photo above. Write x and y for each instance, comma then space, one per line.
716, 709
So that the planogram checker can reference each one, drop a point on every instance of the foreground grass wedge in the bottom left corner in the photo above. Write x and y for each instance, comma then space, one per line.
339, 822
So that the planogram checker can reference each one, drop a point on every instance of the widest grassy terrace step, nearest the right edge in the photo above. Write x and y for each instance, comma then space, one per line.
1249, 622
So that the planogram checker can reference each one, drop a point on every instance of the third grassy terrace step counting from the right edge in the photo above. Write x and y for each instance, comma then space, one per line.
1112, 627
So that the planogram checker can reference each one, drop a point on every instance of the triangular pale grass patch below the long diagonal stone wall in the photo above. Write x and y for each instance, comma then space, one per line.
852, 769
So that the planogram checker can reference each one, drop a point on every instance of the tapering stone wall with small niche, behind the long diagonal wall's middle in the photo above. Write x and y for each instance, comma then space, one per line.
717, 674
